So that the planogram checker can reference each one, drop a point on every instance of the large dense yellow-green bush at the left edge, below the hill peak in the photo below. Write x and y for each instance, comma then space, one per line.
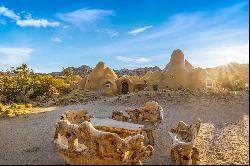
23, 85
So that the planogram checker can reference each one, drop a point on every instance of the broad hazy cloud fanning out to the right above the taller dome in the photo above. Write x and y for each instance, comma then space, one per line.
192, 31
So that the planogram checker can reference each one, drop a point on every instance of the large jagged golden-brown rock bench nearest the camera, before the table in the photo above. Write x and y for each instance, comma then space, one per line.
78, 142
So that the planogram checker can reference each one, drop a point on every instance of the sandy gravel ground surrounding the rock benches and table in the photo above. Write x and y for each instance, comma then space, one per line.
223, 138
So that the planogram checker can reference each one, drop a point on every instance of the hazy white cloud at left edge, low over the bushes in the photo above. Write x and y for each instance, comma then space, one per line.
13, 56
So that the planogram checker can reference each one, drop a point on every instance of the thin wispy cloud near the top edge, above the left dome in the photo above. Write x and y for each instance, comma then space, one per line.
81, 16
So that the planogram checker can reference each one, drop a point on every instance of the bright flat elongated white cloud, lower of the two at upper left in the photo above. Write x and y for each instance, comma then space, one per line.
37, 23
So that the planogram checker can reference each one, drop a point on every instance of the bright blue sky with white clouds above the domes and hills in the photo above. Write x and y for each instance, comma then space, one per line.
48, 35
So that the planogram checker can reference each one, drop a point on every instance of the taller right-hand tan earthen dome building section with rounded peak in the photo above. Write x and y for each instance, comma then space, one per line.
178, 73
